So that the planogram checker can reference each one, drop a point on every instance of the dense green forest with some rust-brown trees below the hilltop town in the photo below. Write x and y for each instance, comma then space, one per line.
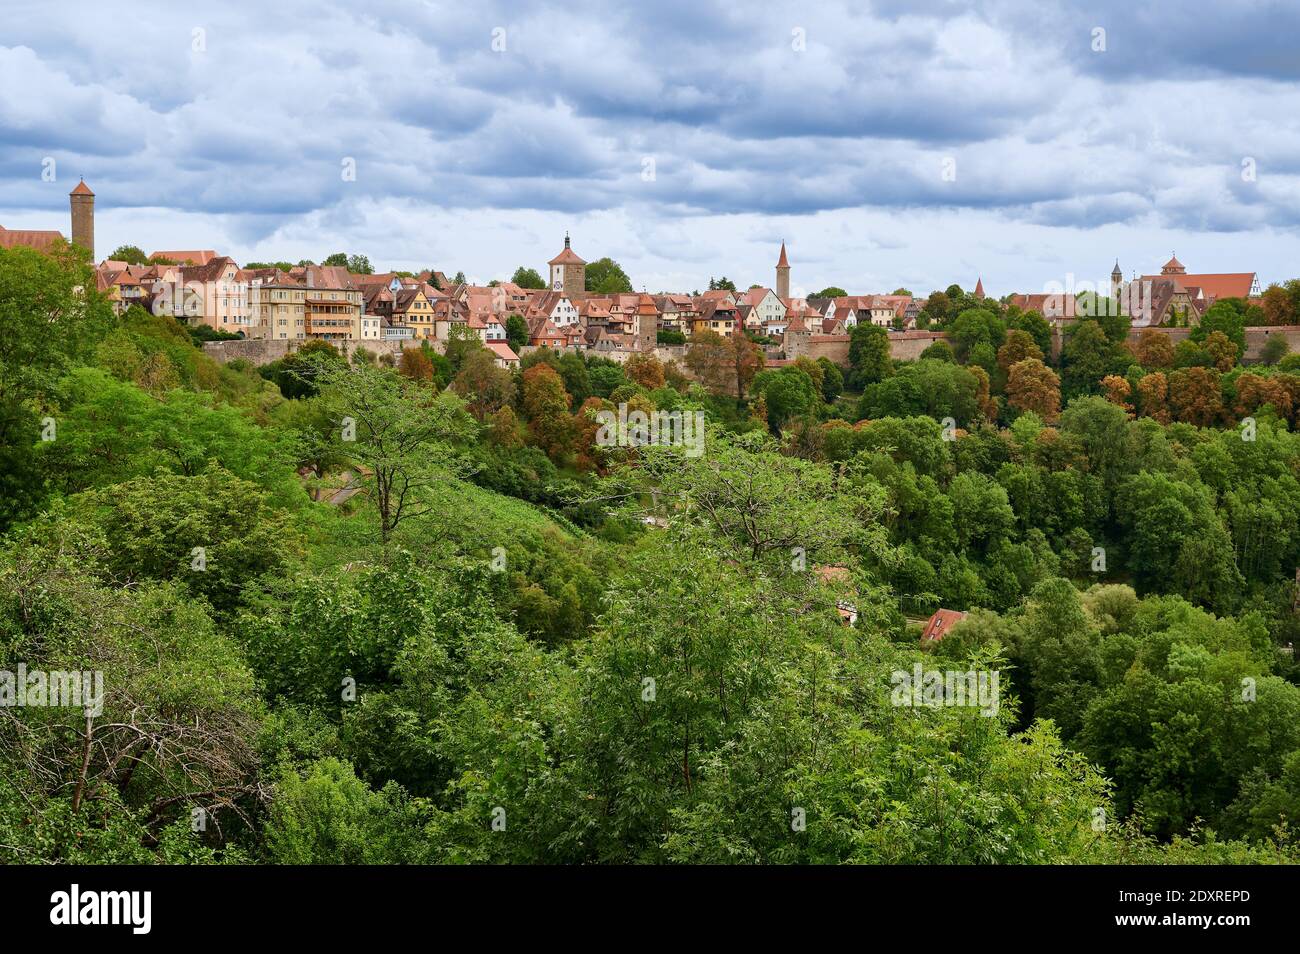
372, 613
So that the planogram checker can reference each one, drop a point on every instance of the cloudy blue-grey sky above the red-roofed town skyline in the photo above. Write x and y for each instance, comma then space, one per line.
895, 144
